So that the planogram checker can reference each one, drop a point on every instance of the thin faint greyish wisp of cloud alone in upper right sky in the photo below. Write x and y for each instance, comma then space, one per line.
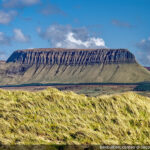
121, 24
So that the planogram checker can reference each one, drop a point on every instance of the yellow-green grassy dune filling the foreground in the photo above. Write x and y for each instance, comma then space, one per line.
54, 117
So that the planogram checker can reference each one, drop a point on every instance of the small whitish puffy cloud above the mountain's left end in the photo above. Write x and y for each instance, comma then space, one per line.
20, 37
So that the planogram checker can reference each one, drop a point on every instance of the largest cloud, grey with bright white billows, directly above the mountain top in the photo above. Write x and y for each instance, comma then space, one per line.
68, 37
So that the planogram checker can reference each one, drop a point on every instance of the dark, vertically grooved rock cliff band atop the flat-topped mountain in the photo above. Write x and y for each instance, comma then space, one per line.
72, 56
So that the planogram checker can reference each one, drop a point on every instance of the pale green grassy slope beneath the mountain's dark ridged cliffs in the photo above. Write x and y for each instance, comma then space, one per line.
115, 73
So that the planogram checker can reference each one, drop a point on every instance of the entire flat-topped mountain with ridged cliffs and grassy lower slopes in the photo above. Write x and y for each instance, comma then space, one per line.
58, 65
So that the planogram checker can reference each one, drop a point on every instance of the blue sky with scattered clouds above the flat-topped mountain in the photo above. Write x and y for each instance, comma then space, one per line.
26, 24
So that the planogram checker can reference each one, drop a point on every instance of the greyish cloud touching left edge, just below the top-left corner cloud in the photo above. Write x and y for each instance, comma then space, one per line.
6, 17
